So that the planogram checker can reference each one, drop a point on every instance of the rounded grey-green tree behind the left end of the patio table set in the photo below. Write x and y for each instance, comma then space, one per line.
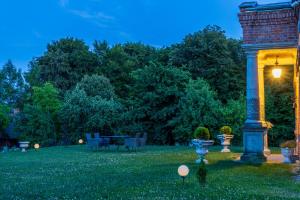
90, 107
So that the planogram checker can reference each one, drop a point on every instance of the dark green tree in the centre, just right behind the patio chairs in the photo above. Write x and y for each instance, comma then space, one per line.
155, 95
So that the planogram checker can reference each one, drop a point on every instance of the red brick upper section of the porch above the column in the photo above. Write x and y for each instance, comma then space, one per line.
269, 26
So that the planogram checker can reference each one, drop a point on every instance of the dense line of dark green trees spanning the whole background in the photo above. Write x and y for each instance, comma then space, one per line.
128, 88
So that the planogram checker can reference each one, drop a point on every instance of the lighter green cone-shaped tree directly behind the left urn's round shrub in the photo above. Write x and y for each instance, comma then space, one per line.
198, 106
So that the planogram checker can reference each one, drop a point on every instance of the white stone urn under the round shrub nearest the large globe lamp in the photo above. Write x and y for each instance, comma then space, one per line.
202, 148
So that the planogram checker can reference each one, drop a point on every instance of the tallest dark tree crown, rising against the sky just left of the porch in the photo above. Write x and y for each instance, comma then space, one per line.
210, 55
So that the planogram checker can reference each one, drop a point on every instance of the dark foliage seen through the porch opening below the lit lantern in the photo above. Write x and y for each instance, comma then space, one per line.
279, 95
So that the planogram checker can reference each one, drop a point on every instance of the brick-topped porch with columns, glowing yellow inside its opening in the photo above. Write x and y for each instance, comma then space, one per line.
271, 35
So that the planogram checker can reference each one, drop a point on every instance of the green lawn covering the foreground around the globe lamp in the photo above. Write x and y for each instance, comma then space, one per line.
77, 173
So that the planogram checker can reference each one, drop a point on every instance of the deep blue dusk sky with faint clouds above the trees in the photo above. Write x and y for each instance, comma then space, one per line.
26, 26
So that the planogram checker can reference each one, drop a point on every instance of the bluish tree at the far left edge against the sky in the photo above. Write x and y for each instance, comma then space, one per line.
12, 86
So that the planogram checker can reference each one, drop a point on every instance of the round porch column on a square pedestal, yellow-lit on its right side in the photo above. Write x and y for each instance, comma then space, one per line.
255, 130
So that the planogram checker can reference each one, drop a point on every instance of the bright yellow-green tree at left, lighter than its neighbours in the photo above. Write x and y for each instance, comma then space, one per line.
39, 121
